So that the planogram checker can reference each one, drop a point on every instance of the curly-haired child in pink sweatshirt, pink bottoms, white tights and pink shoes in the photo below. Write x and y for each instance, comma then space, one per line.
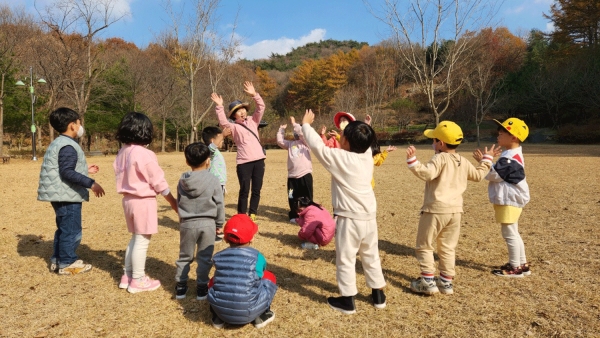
139, 180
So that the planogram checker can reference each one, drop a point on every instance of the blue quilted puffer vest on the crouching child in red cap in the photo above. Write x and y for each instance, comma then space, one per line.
238, 295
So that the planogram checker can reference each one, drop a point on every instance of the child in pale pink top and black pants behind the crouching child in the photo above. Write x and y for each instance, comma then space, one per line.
299, 167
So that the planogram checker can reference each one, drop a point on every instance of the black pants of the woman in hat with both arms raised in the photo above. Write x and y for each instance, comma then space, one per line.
250, 172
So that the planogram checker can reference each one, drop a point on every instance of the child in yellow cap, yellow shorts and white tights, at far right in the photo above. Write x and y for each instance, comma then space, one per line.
509, 192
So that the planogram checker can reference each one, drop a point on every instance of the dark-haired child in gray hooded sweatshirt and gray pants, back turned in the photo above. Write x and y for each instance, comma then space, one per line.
201, 218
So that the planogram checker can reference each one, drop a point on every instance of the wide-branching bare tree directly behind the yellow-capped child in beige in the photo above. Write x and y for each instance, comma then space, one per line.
434, 43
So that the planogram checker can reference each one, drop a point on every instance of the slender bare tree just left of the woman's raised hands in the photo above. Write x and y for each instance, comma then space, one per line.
195, 45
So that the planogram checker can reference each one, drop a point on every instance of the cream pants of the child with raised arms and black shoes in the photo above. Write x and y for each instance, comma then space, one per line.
352, 237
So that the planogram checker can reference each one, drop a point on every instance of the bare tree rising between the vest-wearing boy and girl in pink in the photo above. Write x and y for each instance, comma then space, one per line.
76, 24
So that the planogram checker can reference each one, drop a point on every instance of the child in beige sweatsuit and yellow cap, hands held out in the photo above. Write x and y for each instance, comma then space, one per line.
446, 176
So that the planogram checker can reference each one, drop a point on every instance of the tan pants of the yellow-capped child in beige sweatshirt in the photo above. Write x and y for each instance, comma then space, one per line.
443, 230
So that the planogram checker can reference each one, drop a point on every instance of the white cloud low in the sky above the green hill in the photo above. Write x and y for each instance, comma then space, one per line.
263, 49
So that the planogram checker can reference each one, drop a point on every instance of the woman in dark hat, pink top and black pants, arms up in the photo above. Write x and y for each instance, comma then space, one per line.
250, 158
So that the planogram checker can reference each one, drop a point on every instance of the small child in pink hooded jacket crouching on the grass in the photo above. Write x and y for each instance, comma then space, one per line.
316, 224
